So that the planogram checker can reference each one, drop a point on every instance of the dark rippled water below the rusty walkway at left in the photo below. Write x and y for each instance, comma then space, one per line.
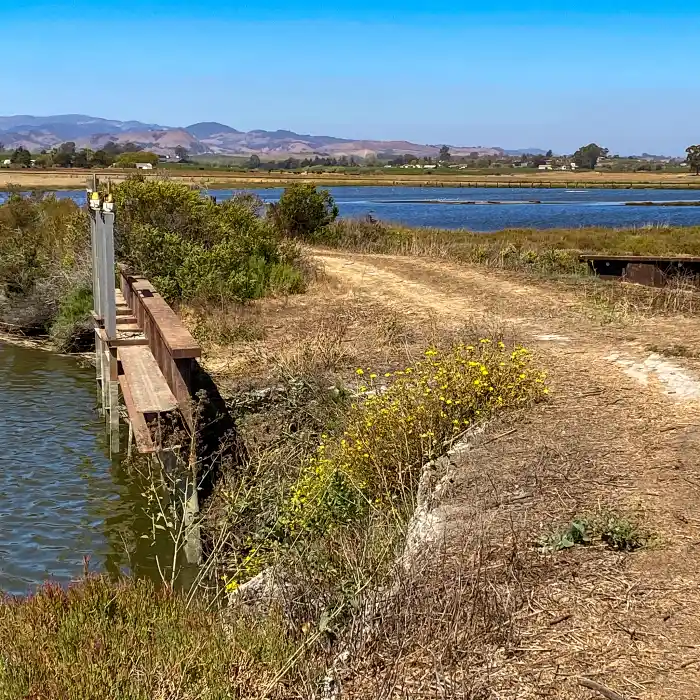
61, 496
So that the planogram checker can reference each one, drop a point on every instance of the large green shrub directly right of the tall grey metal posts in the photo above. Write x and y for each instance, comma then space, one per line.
196, 250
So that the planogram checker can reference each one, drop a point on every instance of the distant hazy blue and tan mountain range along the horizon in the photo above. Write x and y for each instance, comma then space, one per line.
38, 133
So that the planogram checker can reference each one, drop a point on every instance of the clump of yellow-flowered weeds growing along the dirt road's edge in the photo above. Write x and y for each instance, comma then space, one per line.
393, 429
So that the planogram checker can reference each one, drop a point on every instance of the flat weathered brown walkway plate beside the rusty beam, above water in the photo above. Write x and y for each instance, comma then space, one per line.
149, 390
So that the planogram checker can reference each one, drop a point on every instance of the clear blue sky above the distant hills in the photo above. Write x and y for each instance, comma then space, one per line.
545, 73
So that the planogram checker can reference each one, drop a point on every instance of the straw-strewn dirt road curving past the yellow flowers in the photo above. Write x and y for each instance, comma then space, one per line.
621, 432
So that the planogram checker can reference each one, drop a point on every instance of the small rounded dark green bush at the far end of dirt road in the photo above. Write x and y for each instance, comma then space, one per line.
303, 211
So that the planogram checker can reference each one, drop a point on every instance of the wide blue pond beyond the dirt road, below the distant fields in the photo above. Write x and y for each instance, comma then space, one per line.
559, 208
